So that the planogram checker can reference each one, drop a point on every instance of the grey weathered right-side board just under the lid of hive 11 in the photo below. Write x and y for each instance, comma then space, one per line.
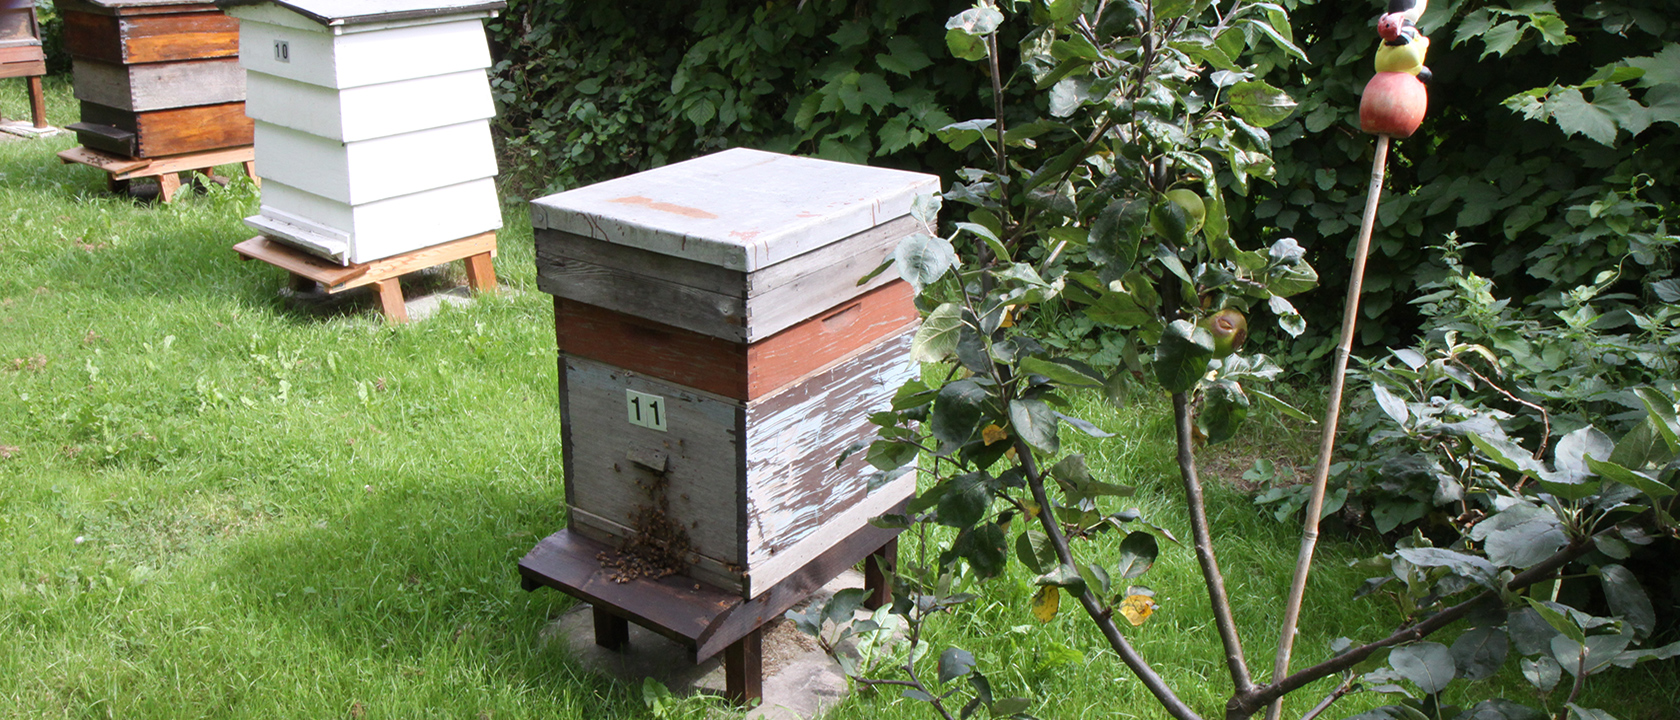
794, 291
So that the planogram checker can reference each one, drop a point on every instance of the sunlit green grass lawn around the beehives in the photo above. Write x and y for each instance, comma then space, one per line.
214, 504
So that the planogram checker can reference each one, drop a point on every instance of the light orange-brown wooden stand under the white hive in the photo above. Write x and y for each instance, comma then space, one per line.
308, 271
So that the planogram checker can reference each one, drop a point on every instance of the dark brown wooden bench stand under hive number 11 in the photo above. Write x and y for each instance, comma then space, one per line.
705, 618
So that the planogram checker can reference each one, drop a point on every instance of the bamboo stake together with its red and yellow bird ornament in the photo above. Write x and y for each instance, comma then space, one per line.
1392, 107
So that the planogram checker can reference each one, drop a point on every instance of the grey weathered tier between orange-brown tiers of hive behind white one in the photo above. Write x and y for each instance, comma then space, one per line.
160, 85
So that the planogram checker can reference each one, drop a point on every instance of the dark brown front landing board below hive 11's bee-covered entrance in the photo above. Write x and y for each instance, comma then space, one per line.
675, 607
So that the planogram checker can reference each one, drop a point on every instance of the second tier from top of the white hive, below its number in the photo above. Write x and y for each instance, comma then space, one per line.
370, 112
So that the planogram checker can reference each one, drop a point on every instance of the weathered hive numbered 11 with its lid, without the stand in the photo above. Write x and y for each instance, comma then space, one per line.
718, 353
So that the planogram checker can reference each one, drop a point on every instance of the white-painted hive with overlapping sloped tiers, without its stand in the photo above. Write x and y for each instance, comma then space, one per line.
372, 123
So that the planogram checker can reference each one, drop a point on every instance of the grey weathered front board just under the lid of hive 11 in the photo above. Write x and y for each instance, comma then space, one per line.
643, 296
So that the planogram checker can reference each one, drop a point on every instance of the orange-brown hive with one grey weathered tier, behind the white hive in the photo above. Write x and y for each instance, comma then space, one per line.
155, 78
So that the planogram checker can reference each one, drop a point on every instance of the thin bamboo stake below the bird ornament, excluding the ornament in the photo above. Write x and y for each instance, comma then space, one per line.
1321, 476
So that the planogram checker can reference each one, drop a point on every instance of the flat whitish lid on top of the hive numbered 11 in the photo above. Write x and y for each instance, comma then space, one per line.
740, 209
